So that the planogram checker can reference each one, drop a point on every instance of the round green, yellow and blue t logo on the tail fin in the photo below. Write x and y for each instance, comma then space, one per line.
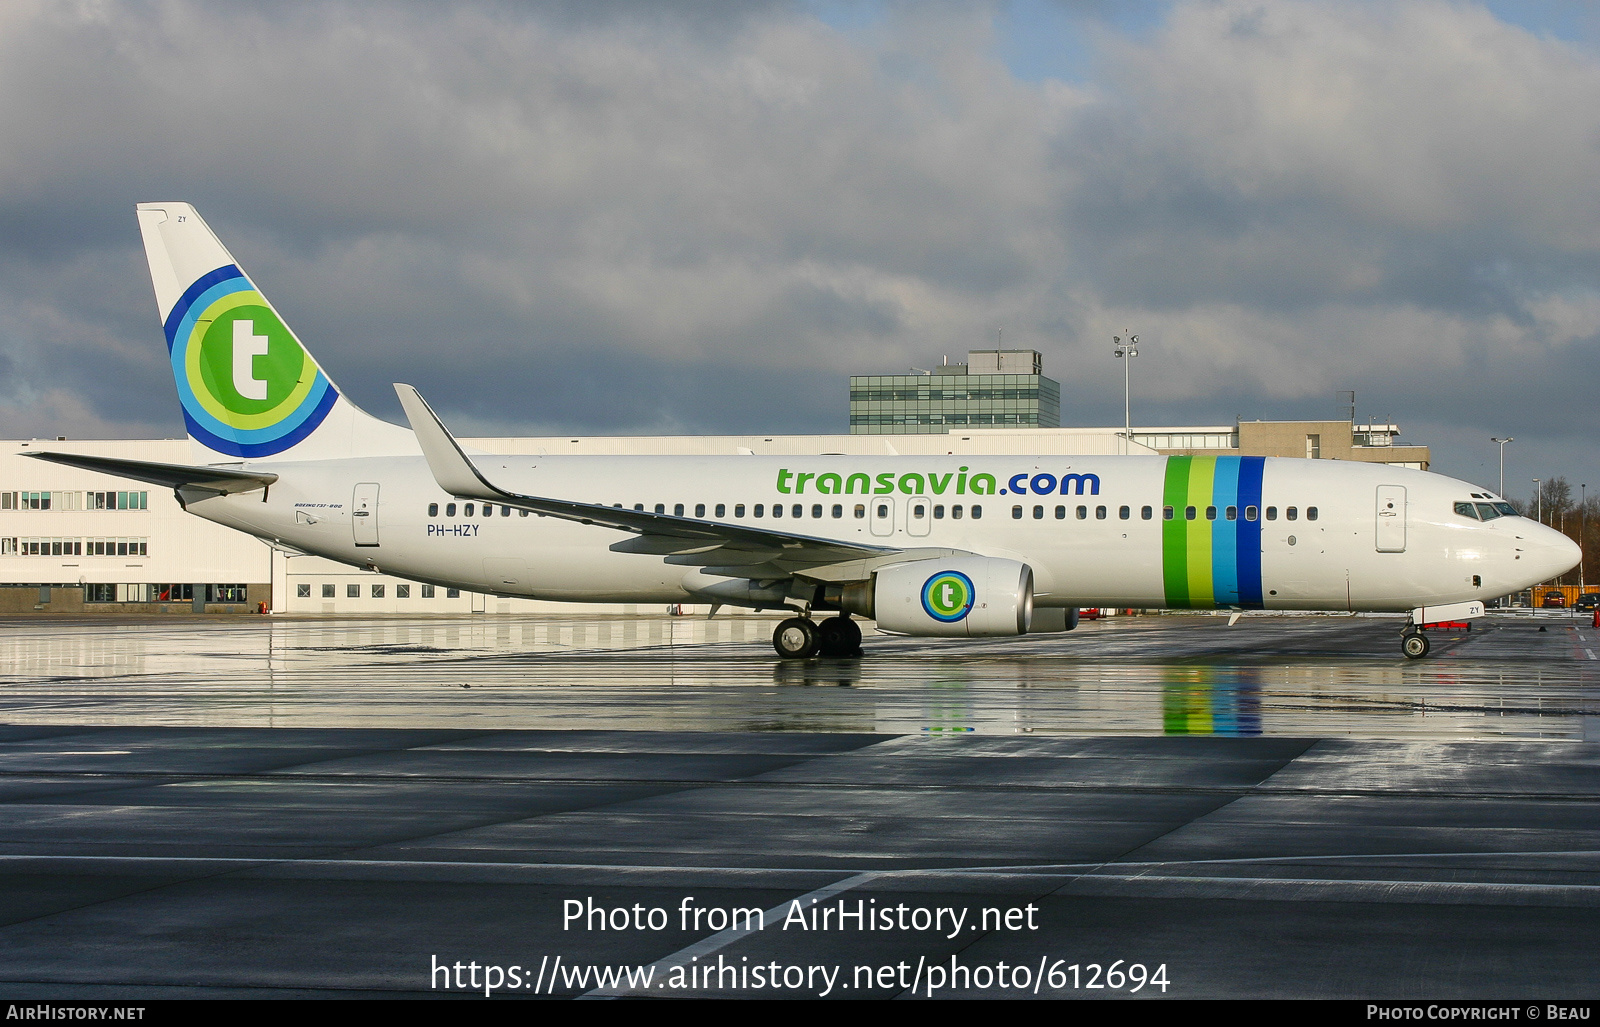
249, 388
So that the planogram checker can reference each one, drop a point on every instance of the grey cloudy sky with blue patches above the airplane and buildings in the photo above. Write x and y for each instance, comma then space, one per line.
623, 218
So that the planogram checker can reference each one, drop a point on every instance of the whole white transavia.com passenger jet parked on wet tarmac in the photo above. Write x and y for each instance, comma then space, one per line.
934, 546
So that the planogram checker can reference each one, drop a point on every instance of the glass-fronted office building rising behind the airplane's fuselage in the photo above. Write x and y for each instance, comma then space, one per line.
983, 393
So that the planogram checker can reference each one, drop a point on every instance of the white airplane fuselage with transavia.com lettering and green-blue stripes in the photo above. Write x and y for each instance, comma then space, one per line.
1110, 541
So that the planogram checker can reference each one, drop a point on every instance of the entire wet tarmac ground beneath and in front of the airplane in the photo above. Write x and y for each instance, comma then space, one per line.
1282, 809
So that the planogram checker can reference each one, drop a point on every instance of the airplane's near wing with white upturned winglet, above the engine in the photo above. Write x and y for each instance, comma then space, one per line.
734, 551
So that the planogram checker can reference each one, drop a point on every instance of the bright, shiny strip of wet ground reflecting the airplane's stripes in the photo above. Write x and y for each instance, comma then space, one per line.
1142, 676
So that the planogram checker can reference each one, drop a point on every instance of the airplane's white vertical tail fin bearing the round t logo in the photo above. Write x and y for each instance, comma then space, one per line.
249, 388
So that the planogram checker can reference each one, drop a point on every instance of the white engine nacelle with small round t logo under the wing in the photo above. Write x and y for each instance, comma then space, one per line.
958, 597
